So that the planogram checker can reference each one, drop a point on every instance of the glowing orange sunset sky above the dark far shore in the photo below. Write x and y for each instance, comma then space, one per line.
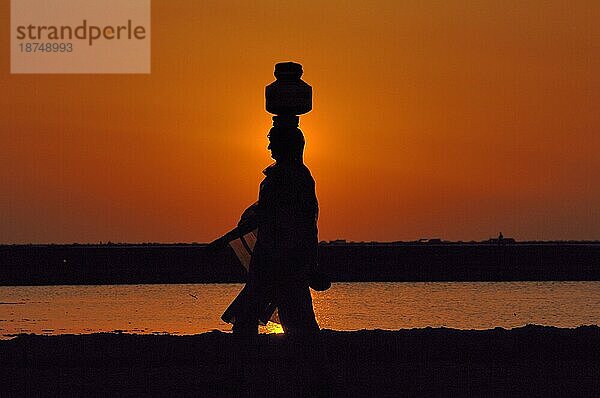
431, 119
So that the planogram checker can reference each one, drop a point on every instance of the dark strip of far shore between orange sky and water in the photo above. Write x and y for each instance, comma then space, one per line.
425, 260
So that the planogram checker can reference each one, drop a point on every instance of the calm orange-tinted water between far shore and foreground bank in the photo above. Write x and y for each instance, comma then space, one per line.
196, 308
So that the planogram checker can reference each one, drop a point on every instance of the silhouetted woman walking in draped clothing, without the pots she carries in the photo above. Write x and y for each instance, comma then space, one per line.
285, 253
